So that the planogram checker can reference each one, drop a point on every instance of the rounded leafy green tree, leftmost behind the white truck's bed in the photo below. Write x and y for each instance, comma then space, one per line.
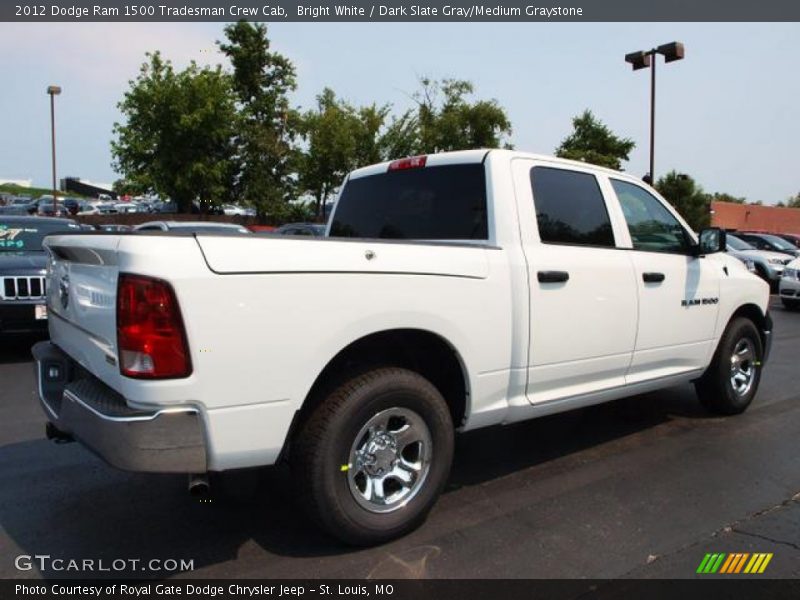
178, 131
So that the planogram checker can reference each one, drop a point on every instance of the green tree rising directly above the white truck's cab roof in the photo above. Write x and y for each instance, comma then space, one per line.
446, 120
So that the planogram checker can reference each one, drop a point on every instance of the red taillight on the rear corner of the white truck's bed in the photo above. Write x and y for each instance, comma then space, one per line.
150, 334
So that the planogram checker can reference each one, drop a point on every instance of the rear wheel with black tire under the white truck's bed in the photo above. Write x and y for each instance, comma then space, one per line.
329, 480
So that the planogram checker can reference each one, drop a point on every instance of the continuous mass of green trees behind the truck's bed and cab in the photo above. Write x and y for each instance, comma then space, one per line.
217, 136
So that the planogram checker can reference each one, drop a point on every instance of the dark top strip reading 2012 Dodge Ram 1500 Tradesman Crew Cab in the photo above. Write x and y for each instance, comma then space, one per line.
401, 10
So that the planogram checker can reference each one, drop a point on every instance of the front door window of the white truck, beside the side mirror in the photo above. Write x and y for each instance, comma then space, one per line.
651, 225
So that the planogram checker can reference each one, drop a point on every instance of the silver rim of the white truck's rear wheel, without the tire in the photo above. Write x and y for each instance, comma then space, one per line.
389, 460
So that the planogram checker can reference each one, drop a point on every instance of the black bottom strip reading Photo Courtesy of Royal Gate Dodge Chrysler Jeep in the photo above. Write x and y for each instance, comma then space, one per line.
516, 589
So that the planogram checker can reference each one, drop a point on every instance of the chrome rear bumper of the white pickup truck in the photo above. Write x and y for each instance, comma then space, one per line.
168, 440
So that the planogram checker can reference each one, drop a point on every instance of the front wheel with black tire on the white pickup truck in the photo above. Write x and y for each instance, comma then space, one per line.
716, 388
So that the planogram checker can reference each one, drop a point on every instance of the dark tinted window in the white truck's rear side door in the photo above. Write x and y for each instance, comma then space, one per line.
570, 208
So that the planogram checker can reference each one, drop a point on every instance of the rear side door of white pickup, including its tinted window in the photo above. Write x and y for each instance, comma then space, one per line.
583, 292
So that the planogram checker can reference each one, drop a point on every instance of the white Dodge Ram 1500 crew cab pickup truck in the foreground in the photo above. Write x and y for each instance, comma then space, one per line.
451, 292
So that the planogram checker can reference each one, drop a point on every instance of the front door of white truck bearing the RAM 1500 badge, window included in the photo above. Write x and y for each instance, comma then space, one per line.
678, 292
